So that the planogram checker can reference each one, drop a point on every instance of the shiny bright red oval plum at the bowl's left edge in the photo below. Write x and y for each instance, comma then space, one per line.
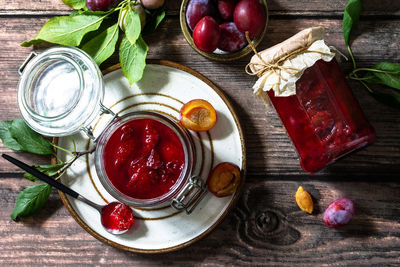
206, 34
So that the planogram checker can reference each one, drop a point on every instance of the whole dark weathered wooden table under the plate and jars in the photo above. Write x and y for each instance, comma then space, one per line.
266, 227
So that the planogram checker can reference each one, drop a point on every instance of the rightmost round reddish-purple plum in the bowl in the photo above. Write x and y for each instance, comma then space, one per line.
249, 15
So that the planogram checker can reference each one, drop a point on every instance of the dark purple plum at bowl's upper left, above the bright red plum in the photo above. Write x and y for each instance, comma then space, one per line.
197, 9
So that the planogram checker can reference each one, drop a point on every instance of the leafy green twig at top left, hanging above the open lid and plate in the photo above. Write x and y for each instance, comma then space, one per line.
75, 30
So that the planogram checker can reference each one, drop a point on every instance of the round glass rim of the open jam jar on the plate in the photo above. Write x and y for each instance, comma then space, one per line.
187, 144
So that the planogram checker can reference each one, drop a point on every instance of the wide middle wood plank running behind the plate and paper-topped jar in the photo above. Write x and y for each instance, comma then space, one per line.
269, 149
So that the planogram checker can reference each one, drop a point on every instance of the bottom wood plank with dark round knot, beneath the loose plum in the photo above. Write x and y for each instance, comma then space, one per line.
265, 228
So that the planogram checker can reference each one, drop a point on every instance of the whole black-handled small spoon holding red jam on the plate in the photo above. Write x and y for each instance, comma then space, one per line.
116, 217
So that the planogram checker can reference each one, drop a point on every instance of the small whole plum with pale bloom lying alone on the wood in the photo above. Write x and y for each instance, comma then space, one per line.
339, 212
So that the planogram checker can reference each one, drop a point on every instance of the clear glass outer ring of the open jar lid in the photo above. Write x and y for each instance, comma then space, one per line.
37, 121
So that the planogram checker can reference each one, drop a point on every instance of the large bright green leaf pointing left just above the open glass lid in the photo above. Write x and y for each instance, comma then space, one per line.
66, 30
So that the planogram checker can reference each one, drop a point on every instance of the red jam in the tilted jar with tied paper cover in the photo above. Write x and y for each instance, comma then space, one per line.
323, 119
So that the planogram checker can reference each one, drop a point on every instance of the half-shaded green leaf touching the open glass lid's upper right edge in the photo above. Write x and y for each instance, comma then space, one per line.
102, 46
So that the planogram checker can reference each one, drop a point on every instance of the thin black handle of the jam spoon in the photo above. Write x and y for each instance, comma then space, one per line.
41, 176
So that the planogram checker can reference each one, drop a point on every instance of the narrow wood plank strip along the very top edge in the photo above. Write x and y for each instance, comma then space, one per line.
282, 7
